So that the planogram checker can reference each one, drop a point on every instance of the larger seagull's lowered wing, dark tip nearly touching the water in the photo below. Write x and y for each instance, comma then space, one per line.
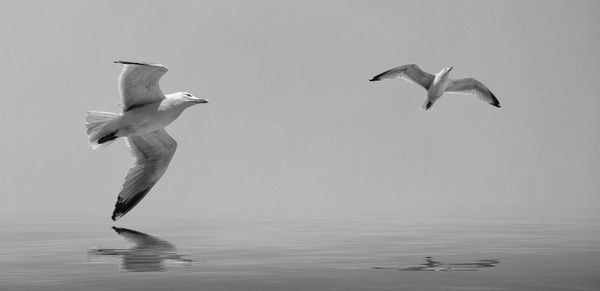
152, 153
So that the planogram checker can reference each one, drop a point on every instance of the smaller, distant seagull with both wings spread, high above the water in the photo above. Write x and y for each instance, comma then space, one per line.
438, 84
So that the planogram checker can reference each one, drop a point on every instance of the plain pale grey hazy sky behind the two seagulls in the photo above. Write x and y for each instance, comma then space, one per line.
294, 128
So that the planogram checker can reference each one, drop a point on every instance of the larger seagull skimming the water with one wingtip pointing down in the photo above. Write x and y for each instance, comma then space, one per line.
146, 111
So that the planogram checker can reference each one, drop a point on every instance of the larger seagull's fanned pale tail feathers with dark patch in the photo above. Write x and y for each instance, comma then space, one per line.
95, 122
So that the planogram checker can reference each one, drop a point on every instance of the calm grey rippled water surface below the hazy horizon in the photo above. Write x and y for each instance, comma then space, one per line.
57, 252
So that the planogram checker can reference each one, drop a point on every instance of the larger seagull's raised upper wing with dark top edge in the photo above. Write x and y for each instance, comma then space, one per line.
138, 84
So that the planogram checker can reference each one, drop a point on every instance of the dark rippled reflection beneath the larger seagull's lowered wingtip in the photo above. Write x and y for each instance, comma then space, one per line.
148, 255
